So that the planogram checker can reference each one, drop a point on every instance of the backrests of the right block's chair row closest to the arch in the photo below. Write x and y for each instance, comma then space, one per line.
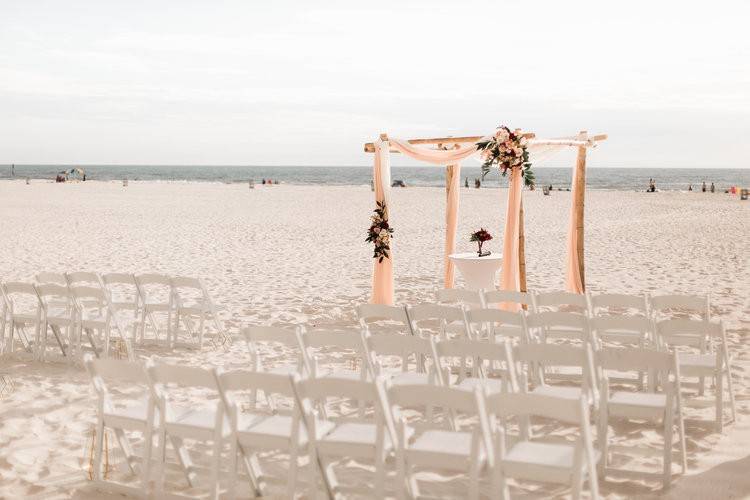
595, 304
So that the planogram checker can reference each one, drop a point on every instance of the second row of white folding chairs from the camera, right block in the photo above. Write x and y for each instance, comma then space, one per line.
468, 363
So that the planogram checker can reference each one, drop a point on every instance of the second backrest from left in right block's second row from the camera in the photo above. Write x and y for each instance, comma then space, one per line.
319, 343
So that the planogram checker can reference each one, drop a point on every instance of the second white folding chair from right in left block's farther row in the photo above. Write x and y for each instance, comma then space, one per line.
156, 297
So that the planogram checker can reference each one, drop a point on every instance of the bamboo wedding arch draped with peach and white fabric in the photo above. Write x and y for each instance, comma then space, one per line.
450, 151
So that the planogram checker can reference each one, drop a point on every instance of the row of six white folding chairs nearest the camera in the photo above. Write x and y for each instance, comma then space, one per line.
466, 435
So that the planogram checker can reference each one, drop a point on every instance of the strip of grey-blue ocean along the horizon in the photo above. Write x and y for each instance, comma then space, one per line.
623, 179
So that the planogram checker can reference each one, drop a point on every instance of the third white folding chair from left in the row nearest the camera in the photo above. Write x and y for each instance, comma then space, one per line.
259, 428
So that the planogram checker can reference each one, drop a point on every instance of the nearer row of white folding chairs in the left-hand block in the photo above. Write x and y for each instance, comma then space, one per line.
69, 312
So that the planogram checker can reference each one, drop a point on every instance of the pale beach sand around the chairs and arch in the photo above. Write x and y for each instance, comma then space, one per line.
287, 254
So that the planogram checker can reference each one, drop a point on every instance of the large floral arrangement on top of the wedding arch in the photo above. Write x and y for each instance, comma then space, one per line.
508, 150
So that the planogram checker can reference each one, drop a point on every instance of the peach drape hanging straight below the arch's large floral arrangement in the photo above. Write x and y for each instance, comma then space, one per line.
511, 279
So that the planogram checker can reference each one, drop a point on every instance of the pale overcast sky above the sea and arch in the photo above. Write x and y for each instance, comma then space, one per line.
308, 82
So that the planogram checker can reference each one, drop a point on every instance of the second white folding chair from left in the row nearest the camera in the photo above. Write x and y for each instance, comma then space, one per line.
200, 421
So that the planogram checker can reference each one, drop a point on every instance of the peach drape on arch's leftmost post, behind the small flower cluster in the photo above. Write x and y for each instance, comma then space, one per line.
382, 274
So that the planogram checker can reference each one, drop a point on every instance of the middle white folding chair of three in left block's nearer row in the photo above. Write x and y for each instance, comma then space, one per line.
58, 315
